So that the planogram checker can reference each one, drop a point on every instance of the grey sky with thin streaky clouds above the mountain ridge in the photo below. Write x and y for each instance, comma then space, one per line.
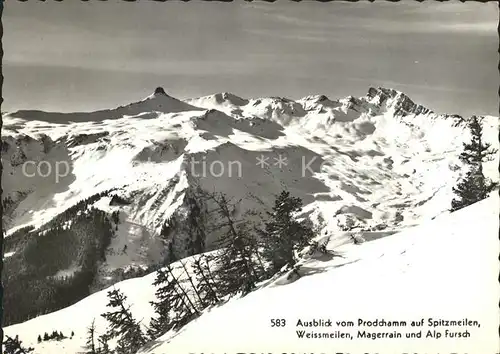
74, 55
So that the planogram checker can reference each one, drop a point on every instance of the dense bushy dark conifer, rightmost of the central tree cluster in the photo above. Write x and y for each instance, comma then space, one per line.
283, 235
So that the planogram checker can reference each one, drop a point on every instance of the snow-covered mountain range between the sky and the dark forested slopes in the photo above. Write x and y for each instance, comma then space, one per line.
375, 158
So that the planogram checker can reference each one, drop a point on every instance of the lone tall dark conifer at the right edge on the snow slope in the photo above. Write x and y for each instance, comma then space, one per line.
474, 186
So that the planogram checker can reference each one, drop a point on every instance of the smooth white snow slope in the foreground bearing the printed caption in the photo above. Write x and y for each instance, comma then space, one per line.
443, 269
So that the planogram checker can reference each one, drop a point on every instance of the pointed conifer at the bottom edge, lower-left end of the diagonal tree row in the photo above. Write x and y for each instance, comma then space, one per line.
122, 325
